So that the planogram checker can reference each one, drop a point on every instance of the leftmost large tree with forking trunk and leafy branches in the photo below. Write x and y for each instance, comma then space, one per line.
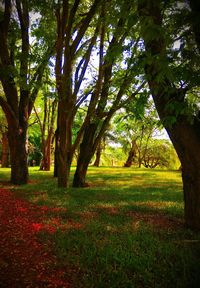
19, 85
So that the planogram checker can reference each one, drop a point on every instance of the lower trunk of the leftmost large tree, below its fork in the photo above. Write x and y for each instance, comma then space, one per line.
18, 154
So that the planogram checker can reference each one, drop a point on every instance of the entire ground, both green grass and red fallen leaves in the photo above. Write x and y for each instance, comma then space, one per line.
125, 230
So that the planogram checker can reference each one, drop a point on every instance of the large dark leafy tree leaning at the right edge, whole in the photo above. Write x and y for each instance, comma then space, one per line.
171, 90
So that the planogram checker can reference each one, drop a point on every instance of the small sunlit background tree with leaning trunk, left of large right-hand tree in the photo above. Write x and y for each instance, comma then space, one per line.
135, 127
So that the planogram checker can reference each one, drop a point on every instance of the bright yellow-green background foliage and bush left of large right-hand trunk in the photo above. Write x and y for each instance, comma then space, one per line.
142, 129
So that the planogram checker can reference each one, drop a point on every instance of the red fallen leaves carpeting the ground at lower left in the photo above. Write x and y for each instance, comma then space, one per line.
24, 260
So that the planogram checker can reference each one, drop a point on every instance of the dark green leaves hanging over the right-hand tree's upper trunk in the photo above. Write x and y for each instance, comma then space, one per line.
177, 63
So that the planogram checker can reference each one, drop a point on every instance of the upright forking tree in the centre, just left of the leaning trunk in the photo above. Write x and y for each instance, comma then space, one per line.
72, 24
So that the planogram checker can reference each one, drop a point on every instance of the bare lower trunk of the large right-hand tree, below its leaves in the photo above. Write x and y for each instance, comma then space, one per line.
186, 140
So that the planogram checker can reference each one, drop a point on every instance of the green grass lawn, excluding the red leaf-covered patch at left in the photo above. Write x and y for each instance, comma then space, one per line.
125, 230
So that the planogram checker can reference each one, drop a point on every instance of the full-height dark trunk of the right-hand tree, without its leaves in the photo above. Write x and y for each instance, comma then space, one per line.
184, 133
